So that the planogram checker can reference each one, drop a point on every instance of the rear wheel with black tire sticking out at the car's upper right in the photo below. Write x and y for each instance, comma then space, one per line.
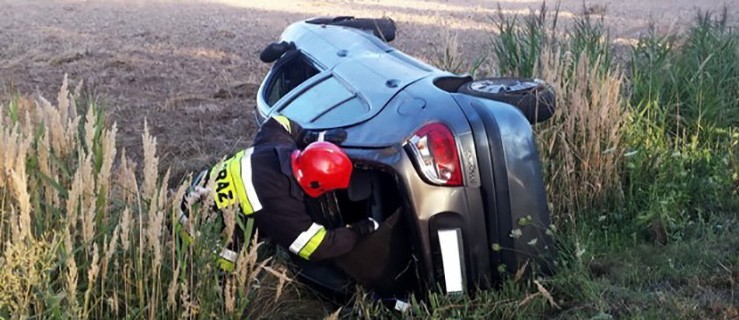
533, 97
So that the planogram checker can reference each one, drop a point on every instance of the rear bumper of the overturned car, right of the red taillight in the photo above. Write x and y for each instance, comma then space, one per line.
514, 197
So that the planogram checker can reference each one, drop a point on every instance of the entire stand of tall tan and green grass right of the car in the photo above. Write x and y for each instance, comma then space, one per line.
653, 150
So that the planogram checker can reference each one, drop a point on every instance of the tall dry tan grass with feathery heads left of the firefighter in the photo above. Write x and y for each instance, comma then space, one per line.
83, 235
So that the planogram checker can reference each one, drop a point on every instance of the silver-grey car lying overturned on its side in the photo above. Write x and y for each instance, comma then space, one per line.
447, 164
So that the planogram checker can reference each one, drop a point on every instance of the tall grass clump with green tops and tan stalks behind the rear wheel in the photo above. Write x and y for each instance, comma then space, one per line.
582, 146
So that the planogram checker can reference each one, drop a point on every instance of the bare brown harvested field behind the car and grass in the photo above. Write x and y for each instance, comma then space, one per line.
191, 68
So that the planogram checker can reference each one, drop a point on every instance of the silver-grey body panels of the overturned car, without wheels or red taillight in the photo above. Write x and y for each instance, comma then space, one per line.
382, 96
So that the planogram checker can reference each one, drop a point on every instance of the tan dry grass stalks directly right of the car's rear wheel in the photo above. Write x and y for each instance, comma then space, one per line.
582, 145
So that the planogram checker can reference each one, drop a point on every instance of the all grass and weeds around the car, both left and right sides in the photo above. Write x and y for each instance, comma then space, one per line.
641, 162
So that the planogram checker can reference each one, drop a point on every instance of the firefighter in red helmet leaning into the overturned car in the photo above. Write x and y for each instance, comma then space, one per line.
267, 183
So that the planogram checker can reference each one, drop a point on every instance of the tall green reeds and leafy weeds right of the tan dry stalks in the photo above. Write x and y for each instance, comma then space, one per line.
683, 131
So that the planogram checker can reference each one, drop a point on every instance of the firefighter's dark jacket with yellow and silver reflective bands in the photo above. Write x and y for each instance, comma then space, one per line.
259, 180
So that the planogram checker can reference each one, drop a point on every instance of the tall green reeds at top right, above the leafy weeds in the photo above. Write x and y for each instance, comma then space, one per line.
694, 79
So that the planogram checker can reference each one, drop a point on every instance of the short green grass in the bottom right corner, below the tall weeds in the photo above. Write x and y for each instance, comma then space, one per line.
624, 276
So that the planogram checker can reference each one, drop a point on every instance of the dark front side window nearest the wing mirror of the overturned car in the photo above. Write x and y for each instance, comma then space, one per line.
288, 76
